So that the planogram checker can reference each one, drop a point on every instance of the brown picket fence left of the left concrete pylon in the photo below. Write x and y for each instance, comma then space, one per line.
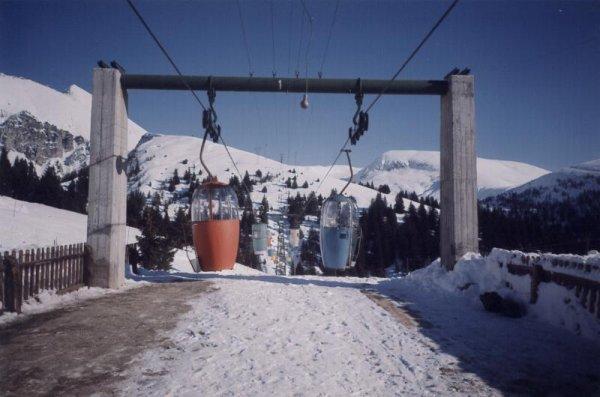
24, 274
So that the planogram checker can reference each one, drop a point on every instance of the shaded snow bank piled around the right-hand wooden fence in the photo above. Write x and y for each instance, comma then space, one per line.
557, 305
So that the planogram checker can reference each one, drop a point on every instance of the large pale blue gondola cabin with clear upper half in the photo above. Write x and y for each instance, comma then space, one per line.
340, 232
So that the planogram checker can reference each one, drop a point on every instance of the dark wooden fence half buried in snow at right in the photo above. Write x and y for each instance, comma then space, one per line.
568, 273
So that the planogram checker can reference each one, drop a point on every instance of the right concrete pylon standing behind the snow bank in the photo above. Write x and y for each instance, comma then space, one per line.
458, 172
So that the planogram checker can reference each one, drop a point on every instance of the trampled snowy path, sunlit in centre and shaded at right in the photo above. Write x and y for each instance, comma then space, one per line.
268, 335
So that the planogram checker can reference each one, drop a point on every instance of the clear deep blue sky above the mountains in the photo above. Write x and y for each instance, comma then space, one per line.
536, 67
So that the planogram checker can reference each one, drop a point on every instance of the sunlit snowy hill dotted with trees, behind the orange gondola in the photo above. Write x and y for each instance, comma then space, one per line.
153, 162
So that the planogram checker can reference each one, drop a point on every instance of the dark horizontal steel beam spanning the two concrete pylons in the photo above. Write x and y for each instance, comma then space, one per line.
284, 84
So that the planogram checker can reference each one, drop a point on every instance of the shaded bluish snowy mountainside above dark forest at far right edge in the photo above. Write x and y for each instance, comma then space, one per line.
566, 183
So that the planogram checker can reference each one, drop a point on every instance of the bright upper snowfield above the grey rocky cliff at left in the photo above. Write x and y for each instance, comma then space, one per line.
69, 110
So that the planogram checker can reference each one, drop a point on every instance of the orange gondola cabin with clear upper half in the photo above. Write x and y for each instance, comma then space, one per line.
215, 225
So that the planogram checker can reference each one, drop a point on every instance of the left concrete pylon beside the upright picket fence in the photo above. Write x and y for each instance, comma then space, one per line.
106, 230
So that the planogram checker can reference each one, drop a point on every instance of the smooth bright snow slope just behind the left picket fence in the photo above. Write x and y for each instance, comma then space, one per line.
25, 225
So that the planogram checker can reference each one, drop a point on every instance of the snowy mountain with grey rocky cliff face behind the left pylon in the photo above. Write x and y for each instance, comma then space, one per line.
47, 126
